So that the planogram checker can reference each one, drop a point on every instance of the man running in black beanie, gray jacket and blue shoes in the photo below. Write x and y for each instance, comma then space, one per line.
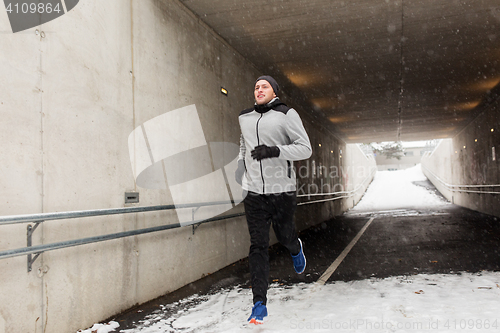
272, 137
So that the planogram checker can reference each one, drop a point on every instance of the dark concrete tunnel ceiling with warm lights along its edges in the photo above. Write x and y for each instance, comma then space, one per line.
374, 70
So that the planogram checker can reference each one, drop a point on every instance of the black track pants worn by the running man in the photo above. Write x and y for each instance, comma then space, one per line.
261, 211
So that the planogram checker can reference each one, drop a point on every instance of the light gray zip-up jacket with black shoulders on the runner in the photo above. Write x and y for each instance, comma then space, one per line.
278, 126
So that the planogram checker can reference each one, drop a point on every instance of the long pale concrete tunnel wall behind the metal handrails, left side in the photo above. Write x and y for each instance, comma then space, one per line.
69, 101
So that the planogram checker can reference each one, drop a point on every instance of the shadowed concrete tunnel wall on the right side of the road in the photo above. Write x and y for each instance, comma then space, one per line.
470, 158
